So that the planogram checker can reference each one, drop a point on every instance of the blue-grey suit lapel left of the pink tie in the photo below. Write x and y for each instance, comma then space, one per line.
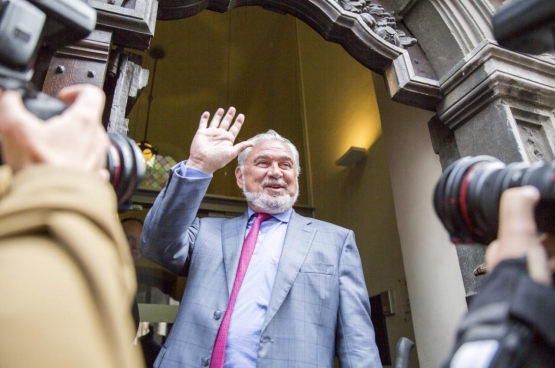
233, 235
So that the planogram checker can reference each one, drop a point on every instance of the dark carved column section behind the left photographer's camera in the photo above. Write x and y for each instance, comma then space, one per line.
127, 24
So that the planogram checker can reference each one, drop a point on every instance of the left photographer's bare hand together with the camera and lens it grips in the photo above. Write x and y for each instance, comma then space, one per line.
27, 27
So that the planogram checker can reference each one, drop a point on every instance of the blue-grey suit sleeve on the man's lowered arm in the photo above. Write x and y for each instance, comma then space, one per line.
355, 340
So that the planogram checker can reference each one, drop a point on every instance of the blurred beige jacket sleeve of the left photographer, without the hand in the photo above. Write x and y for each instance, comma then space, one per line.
66, 275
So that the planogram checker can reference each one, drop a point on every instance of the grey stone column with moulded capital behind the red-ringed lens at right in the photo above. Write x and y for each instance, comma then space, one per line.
499, 103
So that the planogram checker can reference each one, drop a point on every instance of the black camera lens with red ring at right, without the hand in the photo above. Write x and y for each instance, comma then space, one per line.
467, 196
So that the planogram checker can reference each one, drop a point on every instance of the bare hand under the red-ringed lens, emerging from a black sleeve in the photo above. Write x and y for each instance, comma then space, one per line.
517, 236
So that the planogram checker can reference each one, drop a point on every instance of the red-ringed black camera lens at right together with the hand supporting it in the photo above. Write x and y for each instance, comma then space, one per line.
482, 200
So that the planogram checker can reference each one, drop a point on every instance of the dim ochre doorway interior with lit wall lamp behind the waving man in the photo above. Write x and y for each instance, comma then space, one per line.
284, 76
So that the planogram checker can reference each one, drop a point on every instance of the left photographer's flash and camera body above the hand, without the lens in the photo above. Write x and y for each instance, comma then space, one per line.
25, 27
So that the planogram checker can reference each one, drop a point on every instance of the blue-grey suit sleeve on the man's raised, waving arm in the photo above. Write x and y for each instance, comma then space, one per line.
171, 225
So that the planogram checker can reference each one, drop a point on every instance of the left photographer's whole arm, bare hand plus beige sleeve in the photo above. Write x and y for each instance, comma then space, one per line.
66, 274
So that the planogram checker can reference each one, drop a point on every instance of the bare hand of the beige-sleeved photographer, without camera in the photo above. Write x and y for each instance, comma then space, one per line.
75, 139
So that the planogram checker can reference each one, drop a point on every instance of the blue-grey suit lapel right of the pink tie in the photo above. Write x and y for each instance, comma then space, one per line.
298, 241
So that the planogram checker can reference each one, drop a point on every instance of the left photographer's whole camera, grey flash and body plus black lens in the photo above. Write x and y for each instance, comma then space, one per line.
27, 26
